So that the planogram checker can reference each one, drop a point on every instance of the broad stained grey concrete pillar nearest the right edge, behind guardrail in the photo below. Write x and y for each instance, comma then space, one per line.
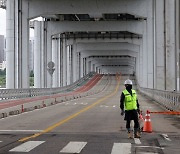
170, 45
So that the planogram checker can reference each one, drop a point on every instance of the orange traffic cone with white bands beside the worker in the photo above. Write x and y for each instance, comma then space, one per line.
147, 123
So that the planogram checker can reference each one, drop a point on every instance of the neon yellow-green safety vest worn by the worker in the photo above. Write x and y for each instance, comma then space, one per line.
130, 101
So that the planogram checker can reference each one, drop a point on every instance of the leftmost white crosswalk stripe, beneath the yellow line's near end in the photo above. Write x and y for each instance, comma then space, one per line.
27, 146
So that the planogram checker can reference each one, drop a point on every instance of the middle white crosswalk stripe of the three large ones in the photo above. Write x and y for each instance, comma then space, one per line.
74, 147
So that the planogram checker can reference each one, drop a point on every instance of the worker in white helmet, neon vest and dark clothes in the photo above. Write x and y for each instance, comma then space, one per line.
130, 106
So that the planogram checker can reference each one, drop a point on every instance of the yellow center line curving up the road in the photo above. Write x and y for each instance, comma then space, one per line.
72, 116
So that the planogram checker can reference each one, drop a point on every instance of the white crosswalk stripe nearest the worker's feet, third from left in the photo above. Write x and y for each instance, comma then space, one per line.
121, 148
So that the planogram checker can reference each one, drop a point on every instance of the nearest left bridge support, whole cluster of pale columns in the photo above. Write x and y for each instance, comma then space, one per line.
17, 44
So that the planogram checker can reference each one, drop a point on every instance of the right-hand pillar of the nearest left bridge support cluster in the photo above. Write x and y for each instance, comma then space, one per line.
23, 52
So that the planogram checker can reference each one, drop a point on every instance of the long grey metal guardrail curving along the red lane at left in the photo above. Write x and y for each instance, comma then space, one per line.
31, 92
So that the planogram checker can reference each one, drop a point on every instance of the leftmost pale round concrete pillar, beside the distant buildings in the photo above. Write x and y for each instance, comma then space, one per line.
10, 44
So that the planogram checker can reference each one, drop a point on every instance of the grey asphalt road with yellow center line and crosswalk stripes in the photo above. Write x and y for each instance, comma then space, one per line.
89, 125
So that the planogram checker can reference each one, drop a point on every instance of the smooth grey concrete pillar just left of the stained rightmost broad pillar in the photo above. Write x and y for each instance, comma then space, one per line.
159, 56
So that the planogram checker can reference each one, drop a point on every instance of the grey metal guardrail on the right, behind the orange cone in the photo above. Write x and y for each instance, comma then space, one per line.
169, 99
